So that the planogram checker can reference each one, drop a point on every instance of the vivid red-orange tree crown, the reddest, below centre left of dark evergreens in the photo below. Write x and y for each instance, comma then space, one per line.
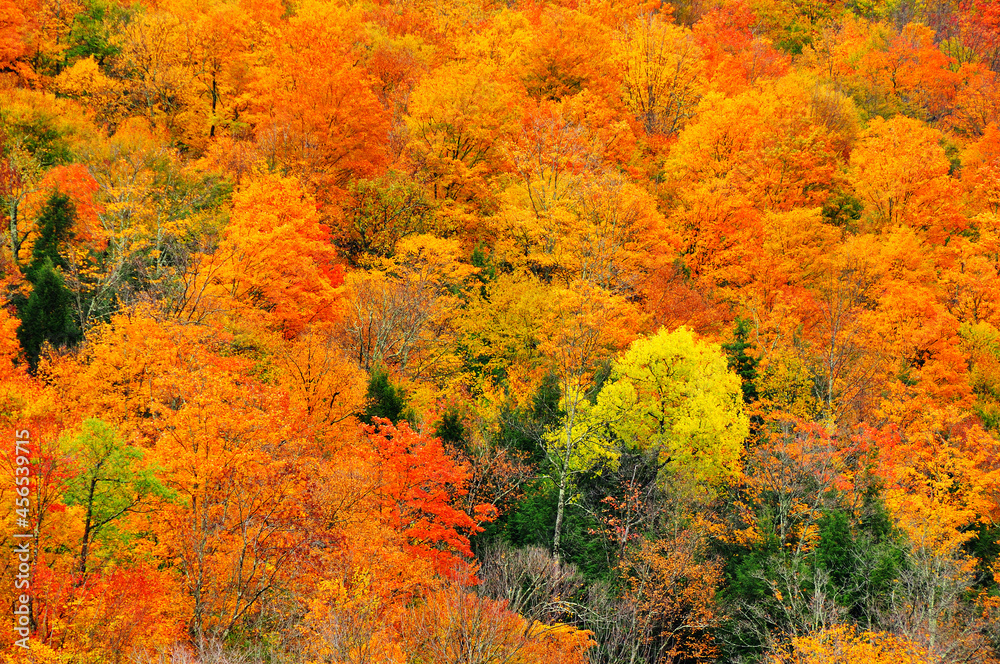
417, 483
